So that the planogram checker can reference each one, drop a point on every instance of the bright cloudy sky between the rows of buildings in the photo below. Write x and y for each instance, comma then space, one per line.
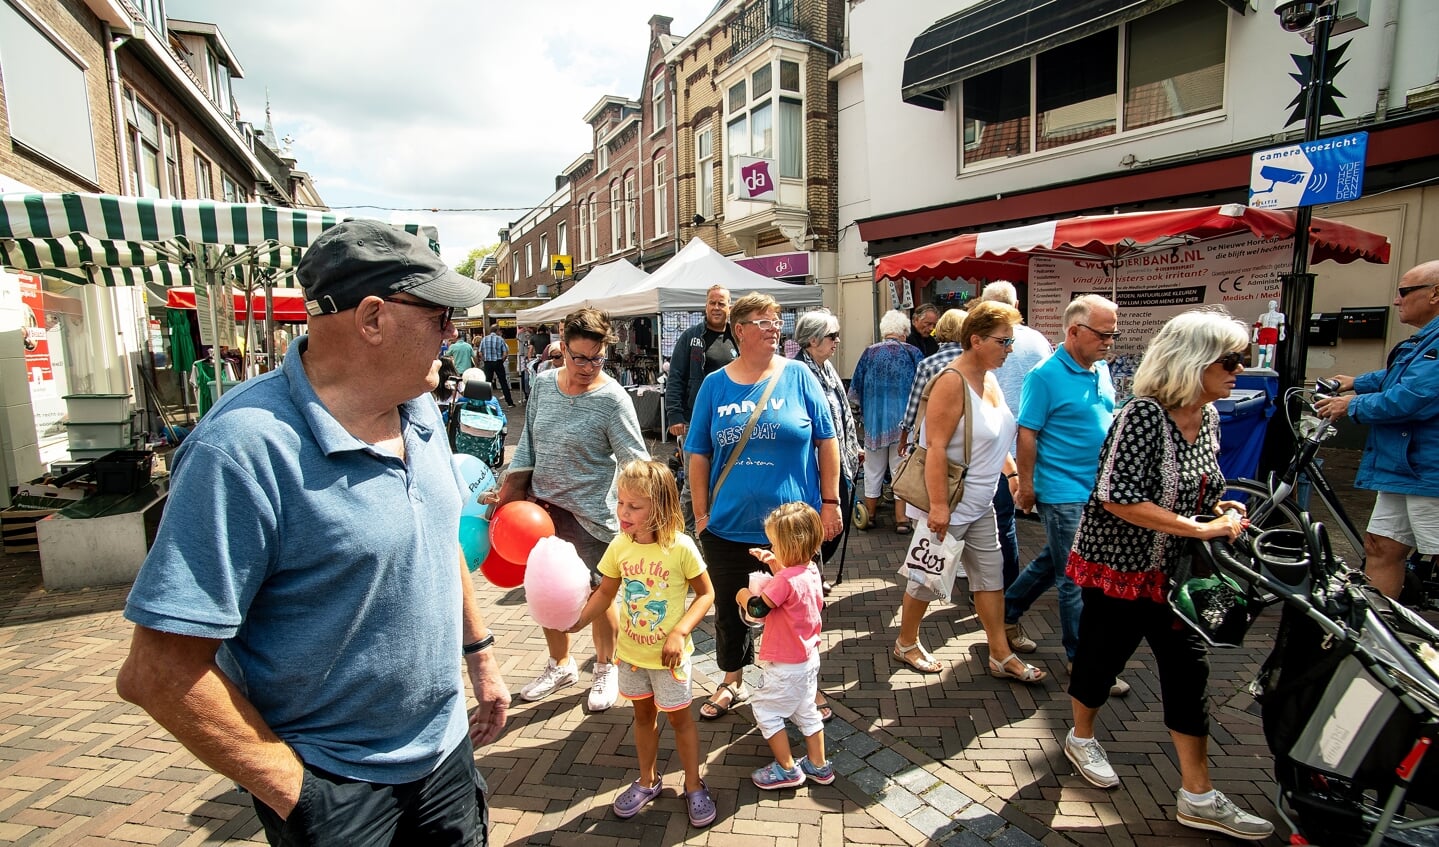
434, 104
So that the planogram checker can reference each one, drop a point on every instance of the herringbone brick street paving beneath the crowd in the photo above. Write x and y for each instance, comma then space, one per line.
958, 759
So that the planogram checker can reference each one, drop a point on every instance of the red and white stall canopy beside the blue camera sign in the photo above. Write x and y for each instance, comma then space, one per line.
1115, 238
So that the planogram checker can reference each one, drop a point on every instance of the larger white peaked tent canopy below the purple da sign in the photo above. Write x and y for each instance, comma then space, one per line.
683, 285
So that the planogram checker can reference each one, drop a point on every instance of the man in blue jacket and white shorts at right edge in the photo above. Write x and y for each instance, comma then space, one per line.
1401, 405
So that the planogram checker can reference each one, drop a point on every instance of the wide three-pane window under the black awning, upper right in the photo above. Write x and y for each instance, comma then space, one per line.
1161, 68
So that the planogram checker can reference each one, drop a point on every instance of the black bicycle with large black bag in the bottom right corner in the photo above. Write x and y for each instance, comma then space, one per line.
1349, 697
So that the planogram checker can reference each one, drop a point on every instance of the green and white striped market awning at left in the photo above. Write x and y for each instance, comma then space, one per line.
107, 239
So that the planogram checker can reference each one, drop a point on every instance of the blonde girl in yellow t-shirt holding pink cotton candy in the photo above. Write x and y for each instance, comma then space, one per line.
654, 566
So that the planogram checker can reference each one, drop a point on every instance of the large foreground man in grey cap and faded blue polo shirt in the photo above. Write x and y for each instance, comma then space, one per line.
304, 615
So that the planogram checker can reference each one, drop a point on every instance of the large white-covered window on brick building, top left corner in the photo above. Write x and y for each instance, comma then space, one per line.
47, 97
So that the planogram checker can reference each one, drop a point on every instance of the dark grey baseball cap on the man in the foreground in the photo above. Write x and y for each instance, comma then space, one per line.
360, 258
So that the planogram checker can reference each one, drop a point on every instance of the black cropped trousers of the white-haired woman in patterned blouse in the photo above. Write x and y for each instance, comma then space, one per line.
1112, 631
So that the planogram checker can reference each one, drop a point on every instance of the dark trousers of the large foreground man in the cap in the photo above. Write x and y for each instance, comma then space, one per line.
448, 807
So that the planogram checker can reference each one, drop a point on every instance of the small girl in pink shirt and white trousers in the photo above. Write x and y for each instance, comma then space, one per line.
789, 652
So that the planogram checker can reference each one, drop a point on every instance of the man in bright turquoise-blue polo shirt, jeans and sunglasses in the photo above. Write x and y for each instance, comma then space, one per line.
1064, 415
